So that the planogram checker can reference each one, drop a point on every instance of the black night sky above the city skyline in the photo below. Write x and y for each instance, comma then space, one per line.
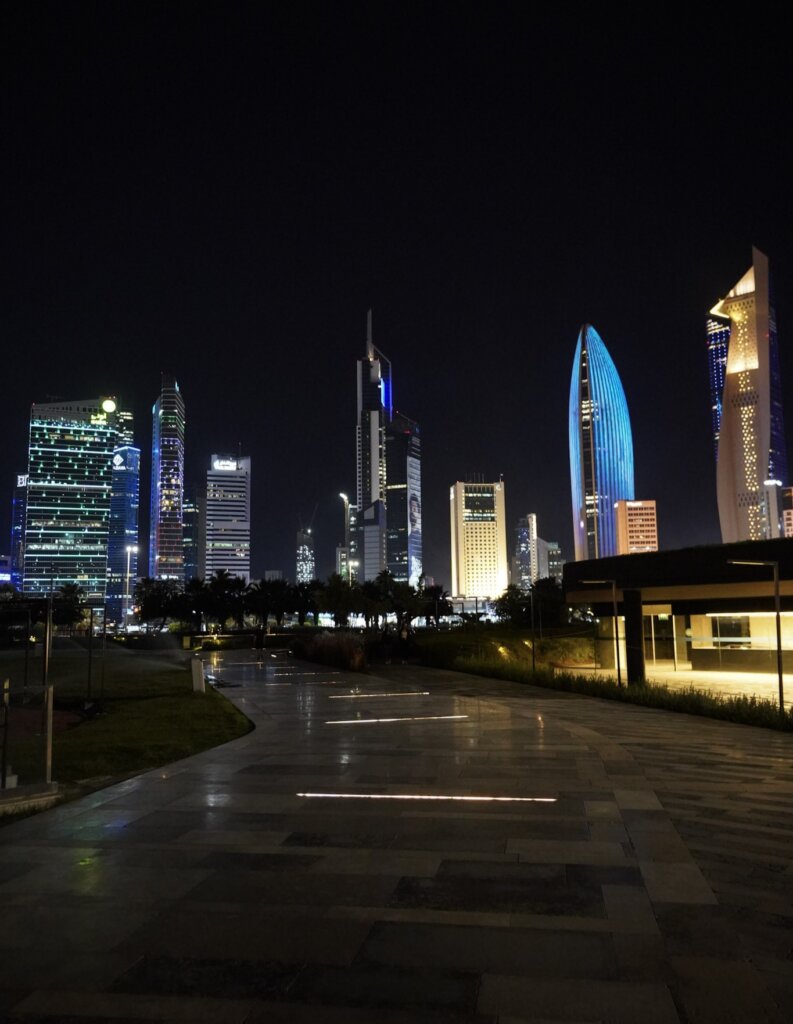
223, 191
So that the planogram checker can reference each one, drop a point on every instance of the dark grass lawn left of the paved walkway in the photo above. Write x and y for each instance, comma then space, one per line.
148, 716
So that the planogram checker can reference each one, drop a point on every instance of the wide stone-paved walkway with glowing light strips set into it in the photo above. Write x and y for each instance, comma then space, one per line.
413, 846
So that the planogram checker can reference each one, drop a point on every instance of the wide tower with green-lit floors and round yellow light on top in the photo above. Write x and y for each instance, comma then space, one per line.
70, 481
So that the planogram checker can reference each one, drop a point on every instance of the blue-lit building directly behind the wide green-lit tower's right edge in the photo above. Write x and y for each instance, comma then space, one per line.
122, 539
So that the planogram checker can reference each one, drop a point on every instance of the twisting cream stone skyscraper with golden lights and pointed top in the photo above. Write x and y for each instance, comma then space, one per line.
752, 459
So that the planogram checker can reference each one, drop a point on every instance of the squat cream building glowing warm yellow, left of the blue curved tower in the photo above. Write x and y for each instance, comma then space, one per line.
480, 567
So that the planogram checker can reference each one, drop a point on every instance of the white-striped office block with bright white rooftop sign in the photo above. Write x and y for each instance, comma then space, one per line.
228, 517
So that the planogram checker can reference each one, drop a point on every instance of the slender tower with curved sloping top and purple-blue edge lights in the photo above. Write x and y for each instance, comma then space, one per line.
166, 551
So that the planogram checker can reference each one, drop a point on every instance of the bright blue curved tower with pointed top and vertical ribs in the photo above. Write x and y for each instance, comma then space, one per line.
601, 447
